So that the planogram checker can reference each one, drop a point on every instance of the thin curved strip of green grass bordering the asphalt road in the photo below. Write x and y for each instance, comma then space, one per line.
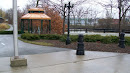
36, 43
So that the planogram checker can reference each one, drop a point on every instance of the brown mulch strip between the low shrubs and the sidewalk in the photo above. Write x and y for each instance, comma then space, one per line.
90, 46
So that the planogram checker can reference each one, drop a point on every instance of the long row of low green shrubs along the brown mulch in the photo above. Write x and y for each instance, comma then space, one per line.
74, 38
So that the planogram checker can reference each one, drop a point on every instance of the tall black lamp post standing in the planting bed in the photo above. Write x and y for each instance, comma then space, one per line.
68, 40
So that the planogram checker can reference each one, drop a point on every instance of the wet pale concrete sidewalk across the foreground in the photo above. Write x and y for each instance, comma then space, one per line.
68, 62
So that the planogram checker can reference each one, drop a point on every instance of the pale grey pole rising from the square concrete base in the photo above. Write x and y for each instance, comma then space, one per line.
15, 31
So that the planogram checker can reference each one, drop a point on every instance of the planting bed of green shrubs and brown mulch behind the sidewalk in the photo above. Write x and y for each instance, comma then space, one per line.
91, 42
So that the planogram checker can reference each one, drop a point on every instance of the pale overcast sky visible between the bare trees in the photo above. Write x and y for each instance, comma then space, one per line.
6, 4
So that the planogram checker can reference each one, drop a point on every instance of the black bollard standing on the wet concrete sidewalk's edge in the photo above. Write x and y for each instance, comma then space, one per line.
80, 46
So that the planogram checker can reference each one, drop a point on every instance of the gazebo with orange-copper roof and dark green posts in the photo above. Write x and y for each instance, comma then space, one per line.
33, 15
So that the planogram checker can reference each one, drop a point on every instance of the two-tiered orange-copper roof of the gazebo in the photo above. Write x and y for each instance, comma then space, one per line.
36, 15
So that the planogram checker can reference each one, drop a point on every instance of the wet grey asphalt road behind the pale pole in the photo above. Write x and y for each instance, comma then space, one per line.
7, 50
